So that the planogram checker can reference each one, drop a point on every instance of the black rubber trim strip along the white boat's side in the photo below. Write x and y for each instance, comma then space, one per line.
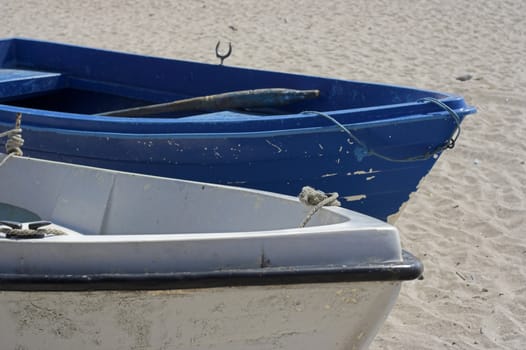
408, 269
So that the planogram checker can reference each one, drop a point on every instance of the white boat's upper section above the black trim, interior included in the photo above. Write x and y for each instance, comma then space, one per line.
124, 223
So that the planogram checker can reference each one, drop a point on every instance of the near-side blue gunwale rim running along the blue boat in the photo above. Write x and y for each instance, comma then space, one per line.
134, 127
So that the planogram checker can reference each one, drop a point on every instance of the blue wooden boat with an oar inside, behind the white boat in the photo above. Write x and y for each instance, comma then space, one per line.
371, 143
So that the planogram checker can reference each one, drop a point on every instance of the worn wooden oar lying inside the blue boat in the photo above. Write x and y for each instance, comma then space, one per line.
259, 98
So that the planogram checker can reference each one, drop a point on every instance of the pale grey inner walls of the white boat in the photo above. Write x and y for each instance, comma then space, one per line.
120, 203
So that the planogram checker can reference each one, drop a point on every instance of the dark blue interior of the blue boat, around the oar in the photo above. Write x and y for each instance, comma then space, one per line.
64, 78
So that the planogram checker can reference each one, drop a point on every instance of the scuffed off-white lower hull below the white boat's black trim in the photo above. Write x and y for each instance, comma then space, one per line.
299, 316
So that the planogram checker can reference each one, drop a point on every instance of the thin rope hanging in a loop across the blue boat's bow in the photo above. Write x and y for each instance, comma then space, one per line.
450, 143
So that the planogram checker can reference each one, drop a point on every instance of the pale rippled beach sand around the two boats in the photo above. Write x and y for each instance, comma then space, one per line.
467, 220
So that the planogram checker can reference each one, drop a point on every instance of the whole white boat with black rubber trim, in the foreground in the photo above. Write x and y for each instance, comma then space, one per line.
124, 261
